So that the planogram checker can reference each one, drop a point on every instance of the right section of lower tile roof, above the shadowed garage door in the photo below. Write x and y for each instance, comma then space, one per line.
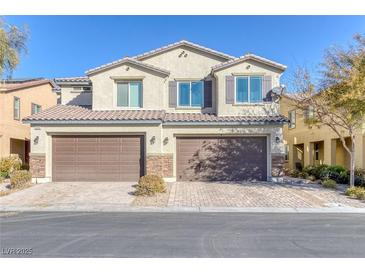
204, 117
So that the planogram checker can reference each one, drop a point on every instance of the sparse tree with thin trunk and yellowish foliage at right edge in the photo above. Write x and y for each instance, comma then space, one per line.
339, 100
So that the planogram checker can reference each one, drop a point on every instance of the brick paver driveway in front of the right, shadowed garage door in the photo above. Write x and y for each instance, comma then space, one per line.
257, 194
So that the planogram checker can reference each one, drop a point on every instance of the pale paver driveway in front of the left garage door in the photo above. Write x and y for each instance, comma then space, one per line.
72, 196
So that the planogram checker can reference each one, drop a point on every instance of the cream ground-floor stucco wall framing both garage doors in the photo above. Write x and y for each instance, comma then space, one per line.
155, 140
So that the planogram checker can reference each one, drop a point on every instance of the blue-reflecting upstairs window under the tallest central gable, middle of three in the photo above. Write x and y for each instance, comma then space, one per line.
190, 94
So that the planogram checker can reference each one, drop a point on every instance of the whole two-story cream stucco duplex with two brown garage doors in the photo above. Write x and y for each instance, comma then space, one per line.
183, 111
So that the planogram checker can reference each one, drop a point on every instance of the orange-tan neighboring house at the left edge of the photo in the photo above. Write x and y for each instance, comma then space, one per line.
19, 99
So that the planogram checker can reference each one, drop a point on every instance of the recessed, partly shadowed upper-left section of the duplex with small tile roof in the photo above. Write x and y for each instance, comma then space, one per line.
75, 91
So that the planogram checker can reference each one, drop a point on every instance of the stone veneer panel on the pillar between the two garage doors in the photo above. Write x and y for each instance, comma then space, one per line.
160, 164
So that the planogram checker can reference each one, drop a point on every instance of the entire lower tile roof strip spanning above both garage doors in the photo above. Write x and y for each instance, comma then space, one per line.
79, 114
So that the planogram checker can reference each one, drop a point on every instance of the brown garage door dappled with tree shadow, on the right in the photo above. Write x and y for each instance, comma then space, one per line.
221, 159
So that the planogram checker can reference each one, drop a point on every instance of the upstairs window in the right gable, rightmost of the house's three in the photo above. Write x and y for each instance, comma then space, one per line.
248, 89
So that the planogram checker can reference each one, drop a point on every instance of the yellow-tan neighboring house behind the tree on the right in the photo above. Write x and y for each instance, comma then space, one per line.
313, 145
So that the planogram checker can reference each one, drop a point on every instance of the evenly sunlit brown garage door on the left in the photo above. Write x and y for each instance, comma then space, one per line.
97, 158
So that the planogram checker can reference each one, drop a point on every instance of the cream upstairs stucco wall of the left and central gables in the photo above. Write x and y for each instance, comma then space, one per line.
191, 65
